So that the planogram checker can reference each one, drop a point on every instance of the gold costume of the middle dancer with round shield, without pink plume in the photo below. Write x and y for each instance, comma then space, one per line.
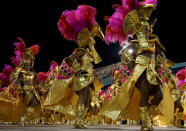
74, 76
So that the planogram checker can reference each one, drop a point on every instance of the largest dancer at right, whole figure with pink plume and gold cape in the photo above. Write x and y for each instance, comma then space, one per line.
132, 19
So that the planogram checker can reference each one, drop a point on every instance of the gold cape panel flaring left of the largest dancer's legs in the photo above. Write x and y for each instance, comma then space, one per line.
118, 104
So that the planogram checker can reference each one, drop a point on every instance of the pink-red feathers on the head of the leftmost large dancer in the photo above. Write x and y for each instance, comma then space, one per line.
20, 50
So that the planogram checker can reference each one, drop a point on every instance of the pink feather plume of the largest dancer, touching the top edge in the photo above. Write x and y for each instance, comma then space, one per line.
114, 30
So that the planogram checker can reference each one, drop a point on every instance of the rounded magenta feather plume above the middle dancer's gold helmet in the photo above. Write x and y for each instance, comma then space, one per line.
72, 22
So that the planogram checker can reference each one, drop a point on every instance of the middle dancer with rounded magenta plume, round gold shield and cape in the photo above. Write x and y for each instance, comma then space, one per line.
76, 76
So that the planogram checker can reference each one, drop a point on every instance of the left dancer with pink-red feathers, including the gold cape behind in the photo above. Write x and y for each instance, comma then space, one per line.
22, 93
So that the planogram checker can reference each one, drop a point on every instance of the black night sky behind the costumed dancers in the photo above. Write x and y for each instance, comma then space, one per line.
37, 24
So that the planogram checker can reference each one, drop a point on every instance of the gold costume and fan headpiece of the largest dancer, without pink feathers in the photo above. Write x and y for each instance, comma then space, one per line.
126, 104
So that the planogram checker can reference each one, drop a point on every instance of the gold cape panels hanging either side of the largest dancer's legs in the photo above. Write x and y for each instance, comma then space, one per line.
126, 103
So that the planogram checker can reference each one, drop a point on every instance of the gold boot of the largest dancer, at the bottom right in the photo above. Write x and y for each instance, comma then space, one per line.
145, 119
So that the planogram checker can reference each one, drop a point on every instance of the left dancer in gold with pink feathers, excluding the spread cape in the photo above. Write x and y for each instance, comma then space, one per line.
25, 78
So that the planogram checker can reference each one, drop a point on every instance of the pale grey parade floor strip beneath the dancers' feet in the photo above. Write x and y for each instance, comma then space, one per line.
91, 128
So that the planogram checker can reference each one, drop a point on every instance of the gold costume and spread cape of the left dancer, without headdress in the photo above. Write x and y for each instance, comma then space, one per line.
17, 98
